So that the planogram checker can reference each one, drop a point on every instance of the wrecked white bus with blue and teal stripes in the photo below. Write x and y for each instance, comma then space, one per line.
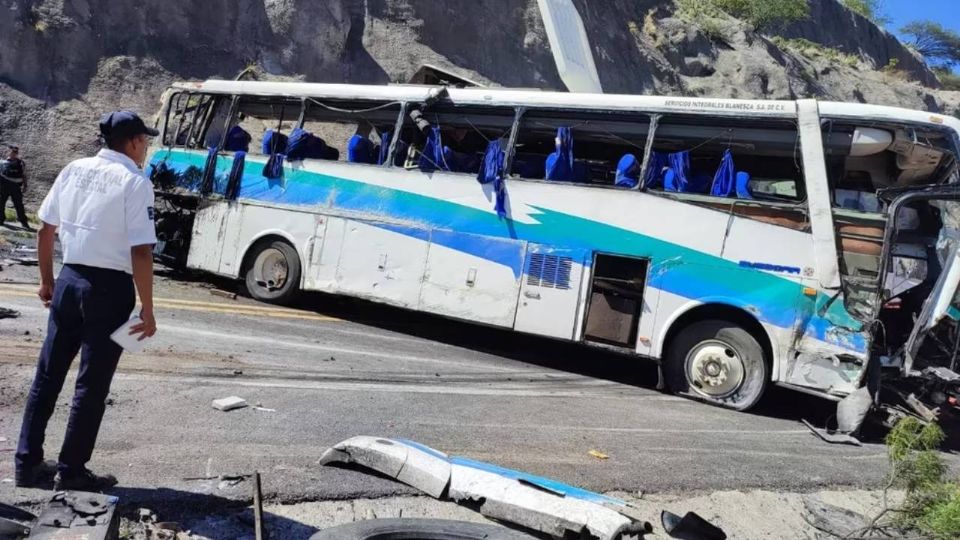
740, 243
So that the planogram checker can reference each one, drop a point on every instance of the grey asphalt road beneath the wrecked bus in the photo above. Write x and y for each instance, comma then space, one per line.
333, 368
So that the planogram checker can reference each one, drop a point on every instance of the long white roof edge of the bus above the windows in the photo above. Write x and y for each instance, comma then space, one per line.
546, 99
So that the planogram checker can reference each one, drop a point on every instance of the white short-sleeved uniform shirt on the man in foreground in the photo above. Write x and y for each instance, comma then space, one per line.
102, 206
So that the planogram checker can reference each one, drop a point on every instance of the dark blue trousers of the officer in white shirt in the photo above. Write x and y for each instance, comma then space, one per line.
88, 305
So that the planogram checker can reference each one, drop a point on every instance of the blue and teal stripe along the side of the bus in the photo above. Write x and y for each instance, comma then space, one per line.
678, 270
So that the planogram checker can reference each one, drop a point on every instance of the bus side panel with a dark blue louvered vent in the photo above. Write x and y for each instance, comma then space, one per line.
550, 292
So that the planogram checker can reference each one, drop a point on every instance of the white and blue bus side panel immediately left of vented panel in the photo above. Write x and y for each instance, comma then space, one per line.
481, 288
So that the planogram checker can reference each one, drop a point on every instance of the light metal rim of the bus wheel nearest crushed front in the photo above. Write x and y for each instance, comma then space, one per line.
715, 369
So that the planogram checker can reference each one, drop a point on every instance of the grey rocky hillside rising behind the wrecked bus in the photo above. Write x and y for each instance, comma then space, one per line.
63, 62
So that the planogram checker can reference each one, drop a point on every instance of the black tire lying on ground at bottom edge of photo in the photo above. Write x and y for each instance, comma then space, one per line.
418, 529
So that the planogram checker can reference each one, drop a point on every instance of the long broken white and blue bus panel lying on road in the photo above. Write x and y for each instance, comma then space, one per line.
538, 503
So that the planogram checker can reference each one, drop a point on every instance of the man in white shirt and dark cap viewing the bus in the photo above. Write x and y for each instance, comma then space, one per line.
102, 209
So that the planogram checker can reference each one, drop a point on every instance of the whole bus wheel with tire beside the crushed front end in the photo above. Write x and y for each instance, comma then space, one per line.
718, 362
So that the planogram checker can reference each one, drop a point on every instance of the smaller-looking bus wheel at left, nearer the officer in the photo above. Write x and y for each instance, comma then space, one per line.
273, 272
